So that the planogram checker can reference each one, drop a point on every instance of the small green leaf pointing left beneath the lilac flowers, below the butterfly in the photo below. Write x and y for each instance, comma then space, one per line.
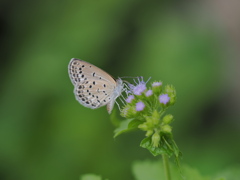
126, 126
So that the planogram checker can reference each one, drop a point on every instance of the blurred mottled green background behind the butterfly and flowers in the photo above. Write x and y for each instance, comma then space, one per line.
46, 134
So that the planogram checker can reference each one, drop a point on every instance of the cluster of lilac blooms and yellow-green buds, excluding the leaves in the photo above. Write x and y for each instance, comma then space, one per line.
148, 105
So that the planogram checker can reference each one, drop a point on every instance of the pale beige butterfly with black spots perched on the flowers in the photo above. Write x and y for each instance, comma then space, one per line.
93, 87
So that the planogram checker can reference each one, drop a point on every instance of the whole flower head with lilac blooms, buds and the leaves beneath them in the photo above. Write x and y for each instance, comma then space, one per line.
144, 108
